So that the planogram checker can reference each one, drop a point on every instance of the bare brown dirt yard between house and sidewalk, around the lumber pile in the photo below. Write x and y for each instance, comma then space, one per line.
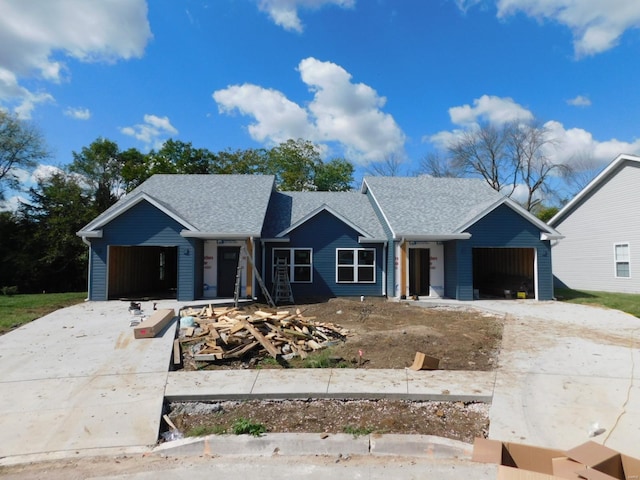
388, 335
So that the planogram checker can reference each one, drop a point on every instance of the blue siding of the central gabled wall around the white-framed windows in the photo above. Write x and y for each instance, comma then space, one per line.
324, 233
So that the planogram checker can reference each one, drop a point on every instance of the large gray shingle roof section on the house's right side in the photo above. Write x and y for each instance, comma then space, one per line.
431, 206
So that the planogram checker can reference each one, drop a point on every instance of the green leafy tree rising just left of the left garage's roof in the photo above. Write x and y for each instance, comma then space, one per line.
100, 165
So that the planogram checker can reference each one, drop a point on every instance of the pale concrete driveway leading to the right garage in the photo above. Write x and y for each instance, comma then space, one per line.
567, 372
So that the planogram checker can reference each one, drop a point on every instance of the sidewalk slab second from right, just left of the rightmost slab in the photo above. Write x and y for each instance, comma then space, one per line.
350, 383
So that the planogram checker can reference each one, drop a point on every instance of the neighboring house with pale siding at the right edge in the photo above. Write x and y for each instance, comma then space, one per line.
601, 226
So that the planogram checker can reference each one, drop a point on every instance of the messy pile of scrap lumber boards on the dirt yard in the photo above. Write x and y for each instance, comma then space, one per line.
212, 334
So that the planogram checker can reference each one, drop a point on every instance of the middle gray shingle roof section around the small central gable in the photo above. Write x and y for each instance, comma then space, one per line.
289, 208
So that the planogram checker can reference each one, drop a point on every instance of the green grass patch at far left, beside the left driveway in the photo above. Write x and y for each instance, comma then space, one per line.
16, 310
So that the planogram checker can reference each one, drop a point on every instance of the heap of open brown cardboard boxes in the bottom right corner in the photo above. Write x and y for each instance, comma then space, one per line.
590, 461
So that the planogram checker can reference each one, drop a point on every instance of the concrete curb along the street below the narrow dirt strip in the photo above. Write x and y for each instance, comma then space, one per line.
297, 444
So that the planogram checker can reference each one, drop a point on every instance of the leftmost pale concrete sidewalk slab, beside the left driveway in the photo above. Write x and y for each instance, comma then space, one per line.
210, 385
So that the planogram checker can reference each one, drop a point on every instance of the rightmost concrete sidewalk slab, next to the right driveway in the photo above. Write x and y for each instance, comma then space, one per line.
446, 385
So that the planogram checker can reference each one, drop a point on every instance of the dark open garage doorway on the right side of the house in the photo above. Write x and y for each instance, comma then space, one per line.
504, 272
